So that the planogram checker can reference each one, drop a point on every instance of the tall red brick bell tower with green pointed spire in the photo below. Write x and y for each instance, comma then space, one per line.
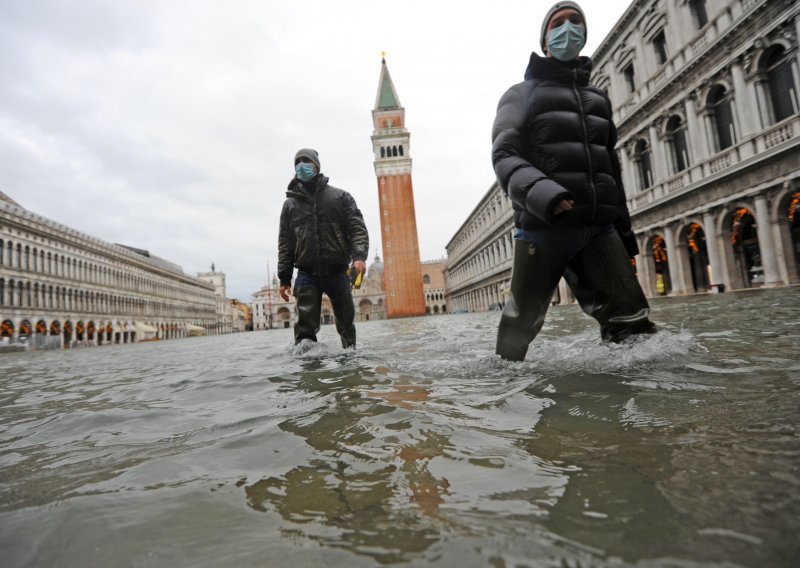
390, 142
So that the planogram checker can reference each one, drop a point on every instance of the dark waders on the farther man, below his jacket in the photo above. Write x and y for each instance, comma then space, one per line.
308, 290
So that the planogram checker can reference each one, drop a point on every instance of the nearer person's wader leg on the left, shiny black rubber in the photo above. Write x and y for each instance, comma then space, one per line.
534, 277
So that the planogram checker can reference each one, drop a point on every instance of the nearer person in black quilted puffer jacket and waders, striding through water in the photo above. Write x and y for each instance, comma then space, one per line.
554, 155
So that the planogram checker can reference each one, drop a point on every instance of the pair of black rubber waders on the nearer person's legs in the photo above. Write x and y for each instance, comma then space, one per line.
596, 266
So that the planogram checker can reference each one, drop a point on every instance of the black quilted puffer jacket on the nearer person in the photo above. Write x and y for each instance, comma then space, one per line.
553, 139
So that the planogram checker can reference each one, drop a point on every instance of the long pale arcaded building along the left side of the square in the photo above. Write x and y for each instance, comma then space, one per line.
61, 288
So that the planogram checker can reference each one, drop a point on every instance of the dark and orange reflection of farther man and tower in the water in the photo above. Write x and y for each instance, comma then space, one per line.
370, 479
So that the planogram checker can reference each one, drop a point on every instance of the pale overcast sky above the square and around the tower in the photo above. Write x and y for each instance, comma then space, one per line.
171, 125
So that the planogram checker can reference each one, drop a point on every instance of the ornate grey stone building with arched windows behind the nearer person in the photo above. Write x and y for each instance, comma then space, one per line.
705, 99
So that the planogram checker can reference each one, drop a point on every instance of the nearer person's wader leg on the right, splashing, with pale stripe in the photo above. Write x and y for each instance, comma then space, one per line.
604, 283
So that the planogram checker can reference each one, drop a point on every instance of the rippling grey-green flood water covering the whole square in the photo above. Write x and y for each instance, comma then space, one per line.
421, 448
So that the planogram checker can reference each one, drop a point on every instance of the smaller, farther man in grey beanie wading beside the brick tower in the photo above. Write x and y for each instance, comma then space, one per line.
321, 231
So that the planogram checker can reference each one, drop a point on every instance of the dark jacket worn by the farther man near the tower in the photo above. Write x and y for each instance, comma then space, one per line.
321, 230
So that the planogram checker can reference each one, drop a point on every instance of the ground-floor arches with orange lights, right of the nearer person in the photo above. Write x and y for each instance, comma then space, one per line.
751, 239
